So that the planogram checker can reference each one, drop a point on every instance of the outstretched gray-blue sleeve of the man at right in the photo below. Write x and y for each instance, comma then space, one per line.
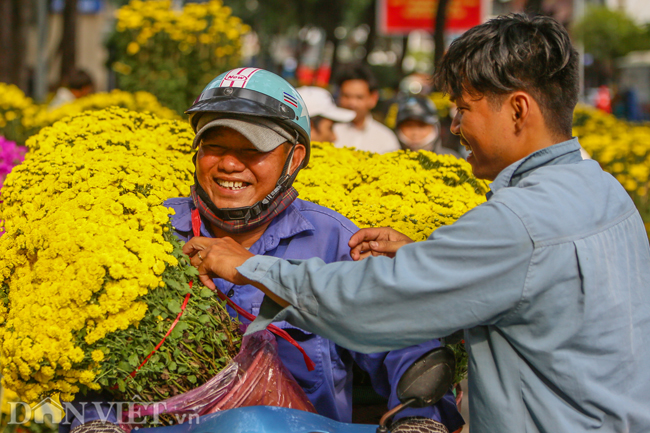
467, 274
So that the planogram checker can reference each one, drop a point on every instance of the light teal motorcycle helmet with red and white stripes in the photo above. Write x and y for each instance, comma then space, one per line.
255, 92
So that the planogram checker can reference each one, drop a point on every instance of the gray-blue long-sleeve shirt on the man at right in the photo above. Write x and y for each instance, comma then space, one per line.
550, 278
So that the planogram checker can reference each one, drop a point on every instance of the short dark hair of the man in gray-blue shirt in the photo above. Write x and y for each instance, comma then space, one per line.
511, 53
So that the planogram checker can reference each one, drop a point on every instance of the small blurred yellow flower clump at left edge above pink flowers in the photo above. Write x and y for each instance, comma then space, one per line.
17, 113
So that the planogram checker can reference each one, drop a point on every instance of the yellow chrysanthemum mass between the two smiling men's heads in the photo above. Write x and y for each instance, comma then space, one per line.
413, 192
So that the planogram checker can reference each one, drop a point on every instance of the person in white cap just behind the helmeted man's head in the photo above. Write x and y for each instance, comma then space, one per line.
323, 113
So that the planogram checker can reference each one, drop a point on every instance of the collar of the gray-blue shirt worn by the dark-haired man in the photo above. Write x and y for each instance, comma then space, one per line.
561, 153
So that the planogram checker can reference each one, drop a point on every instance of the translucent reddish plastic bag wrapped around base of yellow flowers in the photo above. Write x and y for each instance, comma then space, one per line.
256, 376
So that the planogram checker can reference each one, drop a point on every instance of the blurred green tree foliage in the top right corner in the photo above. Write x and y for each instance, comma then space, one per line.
608, 34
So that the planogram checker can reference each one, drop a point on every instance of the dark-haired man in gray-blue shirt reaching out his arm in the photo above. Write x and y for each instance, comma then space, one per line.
550, 278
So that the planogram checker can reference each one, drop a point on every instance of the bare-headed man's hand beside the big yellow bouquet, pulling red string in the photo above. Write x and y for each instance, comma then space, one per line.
217, 257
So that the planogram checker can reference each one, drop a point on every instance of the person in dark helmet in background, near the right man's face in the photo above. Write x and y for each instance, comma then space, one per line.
417, 126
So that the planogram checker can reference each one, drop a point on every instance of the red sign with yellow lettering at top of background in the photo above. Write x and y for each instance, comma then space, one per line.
403, 16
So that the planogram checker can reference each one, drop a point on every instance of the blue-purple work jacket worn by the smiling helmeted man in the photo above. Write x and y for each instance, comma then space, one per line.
302, 231
